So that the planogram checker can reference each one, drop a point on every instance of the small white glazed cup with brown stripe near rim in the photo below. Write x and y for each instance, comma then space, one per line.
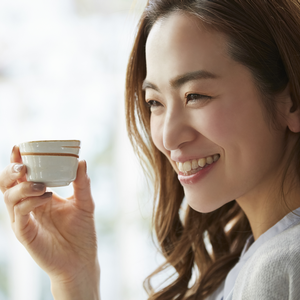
52, 162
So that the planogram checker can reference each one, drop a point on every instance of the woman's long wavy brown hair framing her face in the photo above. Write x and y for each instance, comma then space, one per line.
263, 36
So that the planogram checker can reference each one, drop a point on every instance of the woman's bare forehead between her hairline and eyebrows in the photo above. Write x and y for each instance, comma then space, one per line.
180, 44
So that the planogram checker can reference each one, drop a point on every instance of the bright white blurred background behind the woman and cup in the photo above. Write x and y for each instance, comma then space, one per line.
62, 76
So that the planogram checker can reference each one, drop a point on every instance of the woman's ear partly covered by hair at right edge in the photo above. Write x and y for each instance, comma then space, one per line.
291, 113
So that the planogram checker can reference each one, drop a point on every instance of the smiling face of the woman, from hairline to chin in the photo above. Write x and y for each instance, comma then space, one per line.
205, 107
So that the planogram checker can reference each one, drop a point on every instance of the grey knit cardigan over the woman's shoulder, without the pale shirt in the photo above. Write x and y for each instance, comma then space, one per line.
273, 271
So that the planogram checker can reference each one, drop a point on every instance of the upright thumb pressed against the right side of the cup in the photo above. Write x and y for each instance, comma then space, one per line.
82, 188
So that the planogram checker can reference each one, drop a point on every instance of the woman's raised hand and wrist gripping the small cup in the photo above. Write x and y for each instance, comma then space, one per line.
58, 233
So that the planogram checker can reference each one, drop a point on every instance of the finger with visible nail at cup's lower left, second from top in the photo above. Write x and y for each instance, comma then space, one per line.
11, 175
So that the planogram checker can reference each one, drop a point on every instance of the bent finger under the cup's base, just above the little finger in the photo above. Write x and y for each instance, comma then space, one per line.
24, 190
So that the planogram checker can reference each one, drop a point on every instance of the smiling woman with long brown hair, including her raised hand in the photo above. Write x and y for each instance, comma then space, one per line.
212, 103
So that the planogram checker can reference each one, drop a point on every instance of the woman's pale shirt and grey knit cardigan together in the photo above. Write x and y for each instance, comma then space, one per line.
269, 268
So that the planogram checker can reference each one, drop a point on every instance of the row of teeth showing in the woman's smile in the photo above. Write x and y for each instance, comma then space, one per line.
193, 166
